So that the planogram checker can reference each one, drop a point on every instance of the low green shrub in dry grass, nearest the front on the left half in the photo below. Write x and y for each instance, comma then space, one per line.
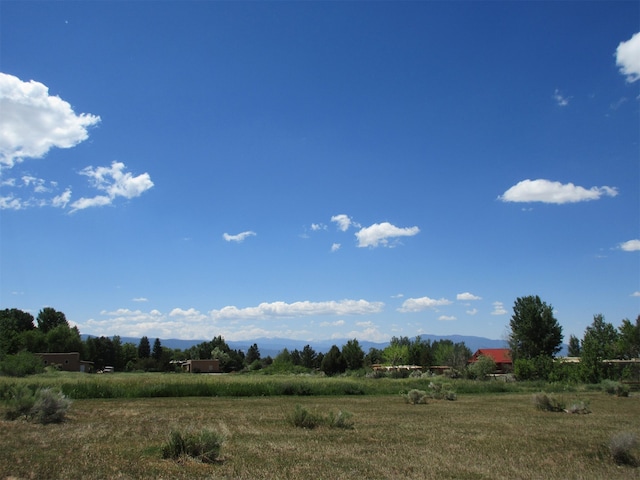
204, 446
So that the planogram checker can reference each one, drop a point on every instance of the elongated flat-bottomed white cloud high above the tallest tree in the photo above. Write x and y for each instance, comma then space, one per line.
547, 191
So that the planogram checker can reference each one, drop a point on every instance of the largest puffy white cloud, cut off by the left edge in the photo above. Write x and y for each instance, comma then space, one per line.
33, 122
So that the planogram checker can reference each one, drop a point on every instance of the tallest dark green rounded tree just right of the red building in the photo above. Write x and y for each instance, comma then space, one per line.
535, 332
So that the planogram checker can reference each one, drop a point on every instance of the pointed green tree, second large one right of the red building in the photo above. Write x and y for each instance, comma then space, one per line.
598, 344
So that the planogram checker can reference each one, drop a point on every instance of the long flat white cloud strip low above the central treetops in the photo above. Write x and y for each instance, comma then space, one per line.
299, 309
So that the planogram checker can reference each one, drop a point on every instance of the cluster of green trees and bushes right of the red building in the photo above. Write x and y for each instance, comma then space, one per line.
536, 337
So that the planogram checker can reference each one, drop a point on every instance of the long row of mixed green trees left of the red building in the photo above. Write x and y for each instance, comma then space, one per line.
51, 332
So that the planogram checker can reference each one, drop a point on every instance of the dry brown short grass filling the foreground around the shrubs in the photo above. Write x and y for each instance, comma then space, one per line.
476, 437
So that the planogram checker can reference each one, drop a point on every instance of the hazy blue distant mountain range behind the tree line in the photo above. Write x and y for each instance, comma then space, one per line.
273, 346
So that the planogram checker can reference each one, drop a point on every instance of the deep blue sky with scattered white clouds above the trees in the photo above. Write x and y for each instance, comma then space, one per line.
318, 170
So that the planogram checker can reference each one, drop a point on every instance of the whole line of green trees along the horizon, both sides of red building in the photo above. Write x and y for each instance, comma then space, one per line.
534, 340
